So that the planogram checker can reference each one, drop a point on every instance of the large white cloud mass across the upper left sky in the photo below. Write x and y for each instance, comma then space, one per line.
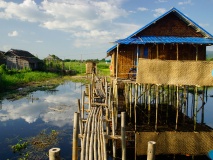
79, 18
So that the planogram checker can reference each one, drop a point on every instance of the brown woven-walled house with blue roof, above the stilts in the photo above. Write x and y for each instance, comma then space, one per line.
172, 36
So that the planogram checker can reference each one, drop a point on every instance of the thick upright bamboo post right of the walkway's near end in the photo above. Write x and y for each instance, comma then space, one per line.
123, 135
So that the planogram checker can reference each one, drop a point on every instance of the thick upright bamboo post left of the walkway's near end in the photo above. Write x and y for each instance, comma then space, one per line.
75, 137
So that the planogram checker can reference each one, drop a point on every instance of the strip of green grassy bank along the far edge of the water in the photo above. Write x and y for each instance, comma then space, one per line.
13, 79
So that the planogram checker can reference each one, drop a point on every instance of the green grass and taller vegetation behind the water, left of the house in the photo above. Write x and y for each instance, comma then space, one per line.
11, 79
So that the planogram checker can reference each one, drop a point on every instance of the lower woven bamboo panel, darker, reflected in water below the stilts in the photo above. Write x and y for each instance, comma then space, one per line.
175, 142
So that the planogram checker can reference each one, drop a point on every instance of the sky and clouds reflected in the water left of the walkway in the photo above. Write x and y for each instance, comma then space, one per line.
39, 110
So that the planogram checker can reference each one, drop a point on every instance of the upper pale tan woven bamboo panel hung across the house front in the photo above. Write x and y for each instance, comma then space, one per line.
174, 72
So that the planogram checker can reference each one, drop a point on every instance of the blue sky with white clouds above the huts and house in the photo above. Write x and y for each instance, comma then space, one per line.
85, 29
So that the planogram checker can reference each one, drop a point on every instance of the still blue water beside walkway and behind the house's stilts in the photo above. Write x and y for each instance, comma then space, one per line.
42, 113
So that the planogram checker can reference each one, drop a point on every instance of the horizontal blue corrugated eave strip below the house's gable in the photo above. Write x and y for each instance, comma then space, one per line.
166, 40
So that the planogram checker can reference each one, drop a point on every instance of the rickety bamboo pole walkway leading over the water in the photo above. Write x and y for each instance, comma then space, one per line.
96, 123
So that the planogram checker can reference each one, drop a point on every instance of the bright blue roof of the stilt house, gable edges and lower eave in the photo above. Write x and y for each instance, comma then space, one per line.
208, 38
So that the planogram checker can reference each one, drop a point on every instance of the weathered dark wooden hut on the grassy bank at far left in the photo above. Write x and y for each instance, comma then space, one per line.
21, 59
